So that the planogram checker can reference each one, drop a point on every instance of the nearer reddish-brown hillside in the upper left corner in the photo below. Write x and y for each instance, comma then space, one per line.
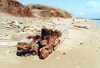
15, 8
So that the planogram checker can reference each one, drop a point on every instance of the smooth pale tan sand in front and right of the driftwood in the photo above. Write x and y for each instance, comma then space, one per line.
81, 49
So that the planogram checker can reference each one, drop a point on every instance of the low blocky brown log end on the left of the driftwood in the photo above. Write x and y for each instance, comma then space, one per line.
26, 49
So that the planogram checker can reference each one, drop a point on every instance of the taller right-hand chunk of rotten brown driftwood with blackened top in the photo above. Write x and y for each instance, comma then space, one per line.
47, 42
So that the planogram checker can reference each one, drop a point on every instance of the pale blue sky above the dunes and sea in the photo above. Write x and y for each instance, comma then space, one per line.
78, 8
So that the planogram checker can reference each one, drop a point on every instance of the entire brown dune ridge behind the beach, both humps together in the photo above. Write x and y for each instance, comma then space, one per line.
15, 8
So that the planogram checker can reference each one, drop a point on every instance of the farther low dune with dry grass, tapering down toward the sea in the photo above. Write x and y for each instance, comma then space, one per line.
47, 11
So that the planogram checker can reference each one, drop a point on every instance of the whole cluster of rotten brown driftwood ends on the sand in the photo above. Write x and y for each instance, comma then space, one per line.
42, 45
